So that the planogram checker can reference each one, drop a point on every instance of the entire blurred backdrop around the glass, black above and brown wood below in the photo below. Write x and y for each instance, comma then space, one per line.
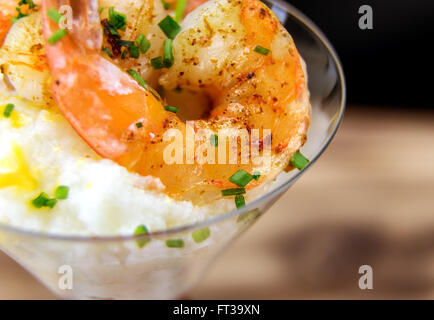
368, 200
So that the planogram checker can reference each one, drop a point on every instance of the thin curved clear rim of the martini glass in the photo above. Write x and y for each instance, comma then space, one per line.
307, 23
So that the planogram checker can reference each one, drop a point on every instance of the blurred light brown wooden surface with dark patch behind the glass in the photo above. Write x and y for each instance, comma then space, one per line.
368, 200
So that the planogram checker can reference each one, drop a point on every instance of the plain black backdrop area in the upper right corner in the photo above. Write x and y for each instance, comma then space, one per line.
389, 65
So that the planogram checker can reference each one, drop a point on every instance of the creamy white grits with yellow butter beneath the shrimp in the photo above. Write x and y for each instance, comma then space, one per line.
104, 198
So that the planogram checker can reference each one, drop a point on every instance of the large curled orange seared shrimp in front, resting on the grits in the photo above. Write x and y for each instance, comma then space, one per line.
214, 53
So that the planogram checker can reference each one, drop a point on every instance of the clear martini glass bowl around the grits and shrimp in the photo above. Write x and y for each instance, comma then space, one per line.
116, 267
